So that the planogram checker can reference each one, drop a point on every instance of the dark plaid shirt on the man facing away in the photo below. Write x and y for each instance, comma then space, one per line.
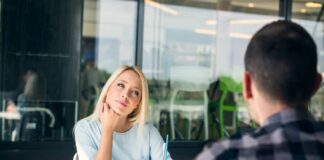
290, 134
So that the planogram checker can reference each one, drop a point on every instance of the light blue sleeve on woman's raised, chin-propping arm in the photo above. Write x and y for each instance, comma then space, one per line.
86, 148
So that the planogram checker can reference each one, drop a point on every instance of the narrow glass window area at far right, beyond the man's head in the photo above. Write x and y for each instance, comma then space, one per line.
309, 14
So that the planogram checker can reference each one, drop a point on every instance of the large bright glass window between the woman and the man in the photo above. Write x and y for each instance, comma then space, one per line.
192, 47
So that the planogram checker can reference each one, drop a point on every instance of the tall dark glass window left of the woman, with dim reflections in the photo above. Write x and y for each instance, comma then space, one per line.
39, 70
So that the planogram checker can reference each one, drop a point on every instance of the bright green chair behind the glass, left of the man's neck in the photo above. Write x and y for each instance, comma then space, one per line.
227, 86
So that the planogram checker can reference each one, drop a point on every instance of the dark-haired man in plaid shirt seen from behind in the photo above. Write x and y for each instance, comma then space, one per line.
279, 79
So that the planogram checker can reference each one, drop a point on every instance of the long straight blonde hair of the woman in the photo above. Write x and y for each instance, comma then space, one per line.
138, 116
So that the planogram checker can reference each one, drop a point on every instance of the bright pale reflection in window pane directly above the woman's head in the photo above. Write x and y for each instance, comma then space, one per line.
110, 27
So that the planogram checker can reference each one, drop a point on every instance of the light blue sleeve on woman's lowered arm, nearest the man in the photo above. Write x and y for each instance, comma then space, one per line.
157, 145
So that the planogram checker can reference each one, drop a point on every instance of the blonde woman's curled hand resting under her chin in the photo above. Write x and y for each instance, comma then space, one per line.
108, 118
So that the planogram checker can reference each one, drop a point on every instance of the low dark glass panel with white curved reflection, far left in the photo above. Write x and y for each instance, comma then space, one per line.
38, 120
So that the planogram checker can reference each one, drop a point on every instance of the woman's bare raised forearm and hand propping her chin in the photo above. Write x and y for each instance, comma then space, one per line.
109, 120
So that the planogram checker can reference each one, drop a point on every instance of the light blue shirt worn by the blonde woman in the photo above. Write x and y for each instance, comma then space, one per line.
126, 145
